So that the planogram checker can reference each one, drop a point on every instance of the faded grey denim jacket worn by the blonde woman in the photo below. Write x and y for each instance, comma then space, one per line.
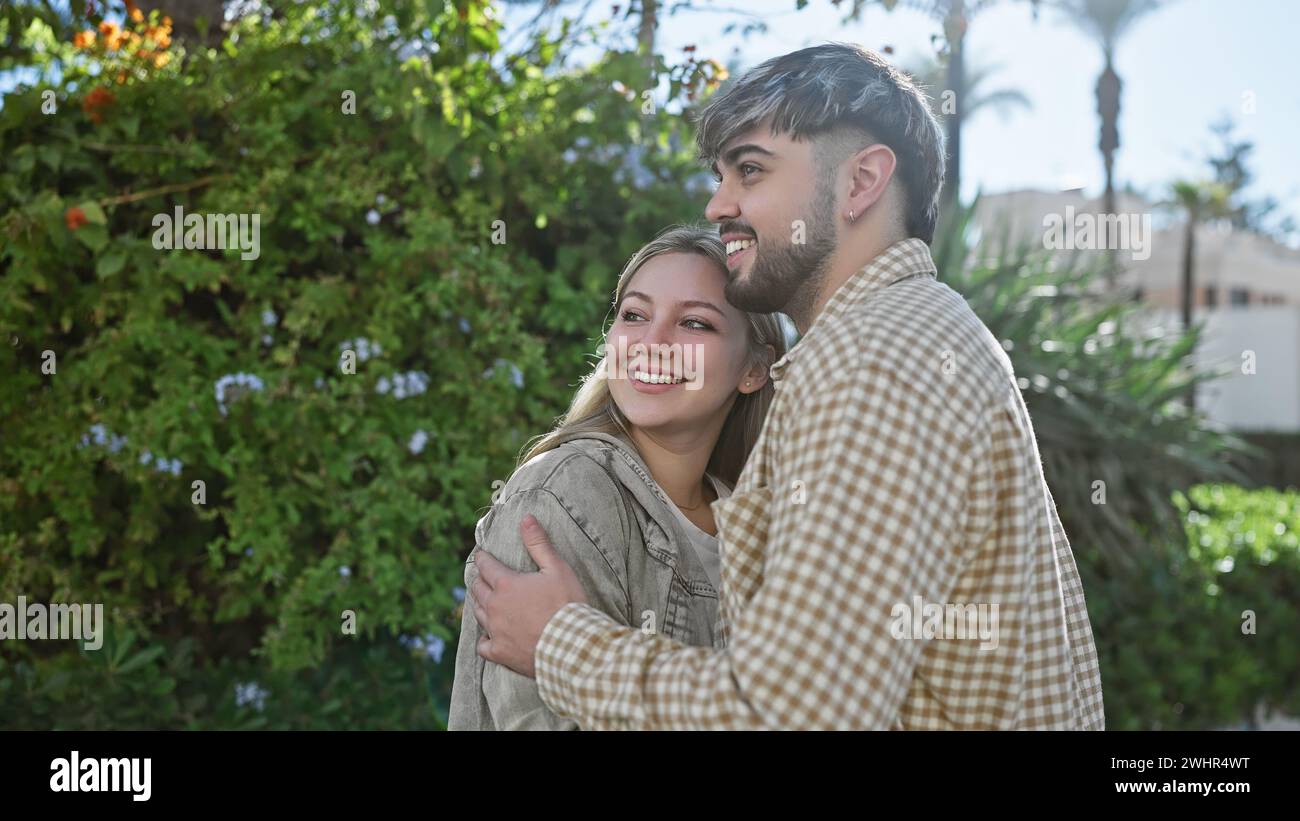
610, 522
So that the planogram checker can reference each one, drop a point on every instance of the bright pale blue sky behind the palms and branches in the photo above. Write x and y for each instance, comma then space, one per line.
1185, 67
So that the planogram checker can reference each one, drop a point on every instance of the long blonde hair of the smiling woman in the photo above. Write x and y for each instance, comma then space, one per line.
593, 409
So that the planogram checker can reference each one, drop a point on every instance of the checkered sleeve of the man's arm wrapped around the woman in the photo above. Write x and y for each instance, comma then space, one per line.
882, 470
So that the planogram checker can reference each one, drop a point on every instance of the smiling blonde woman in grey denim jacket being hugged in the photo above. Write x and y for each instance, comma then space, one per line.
623, 485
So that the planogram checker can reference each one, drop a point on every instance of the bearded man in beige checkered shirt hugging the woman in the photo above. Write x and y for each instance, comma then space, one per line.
898, 471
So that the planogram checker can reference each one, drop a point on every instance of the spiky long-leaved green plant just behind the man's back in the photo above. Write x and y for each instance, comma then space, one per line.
1103, 397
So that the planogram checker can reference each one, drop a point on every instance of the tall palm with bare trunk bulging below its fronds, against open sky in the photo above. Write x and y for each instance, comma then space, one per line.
1107, 21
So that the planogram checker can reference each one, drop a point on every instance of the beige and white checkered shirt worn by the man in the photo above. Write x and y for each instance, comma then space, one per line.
898, 474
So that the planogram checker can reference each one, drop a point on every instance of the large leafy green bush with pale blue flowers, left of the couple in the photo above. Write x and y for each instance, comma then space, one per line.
326, 492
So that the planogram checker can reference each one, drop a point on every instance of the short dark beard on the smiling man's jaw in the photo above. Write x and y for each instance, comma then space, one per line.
788, 277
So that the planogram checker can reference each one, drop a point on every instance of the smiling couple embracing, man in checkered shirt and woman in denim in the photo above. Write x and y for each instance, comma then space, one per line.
727, 540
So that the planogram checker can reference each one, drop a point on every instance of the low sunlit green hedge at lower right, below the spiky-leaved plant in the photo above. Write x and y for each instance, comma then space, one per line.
1177, 648
